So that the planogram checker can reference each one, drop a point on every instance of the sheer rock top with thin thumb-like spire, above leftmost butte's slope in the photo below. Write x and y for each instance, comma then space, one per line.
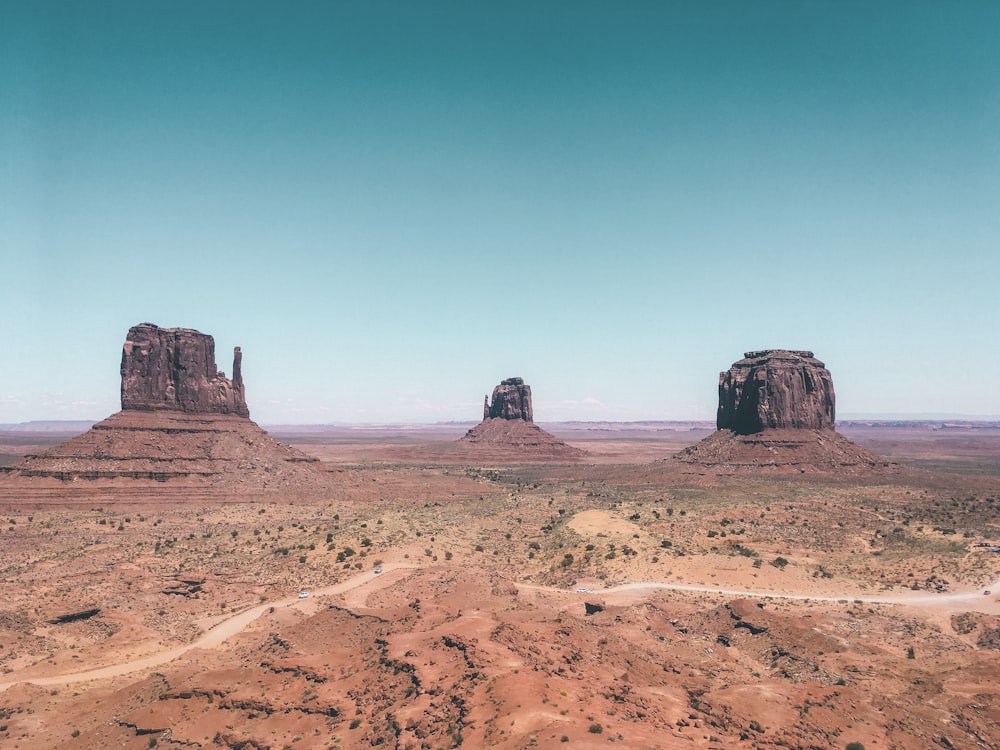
174, 369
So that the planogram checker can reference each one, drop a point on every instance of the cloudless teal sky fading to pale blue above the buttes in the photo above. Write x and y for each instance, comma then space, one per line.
391, 206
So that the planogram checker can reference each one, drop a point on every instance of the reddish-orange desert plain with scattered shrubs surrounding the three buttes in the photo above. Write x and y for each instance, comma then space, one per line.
427, 598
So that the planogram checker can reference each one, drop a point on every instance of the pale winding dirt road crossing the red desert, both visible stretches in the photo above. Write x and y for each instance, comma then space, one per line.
363, 584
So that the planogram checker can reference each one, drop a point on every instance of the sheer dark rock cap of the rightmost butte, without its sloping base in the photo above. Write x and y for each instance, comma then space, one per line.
776, 389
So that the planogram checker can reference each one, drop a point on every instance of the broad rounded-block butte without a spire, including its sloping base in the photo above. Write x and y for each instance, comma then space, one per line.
777, 415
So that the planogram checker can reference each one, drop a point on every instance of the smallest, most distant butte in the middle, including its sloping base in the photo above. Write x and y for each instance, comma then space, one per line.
508, 430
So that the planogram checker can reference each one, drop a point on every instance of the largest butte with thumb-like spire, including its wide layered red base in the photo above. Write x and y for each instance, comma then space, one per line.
184, 432
